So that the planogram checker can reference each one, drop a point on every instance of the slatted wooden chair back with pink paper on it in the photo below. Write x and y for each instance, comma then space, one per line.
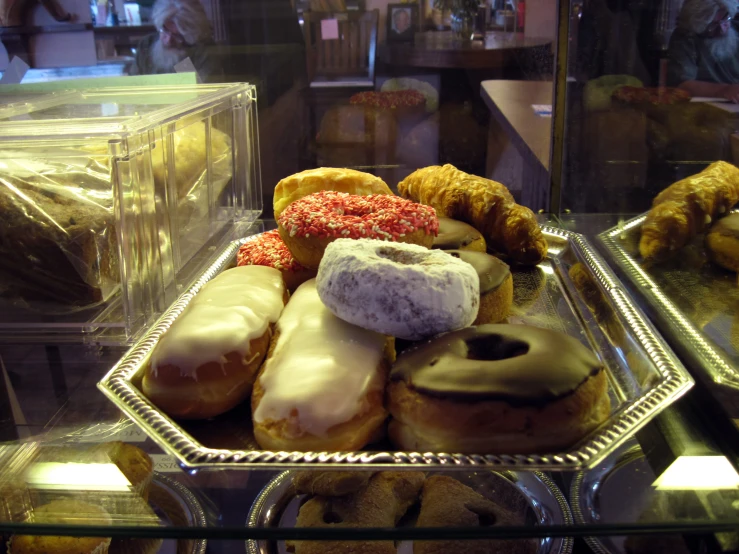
346, 62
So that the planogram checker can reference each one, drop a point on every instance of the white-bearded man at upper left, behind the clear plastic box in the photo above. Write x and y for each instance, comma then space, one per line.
183, 31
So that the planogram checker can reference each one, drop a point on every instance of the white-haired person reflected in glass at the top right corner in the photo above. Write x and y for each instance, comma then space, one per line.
704, 50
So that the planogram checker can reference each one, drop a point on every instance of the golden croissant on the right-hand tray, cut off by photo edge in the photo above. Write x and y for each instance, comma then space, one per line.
687, 208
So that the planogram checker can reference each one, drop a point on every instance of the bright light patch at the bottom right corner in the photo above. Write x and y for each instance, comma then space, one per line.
698, 473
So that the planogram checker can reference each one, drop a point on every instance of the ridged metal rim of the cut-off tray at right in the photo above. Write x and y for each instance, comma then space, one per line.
675, 324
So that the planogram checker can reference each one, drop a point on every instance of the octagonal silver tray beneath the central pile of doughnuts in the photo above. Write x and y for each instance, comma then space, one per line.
644, 375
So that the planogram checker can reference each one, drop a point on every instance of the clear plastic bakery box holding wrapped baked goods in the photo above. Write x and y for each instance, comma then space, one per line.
113, 200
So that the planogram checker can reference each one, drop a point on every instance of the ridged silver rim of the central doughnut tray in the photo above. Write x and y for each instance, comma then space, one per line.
191, 455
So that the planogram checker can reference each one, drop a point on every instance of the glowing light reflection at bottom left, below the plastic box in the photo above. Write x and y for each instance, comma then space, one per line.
77, 477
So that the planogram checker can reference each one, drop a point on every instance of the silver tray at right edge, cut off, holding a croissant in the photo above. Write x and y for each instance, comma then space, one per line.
694, 303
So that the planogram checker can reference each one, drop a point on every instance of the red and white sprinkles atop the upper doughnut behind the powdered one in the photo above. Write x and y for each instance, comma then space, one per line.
334, 214
